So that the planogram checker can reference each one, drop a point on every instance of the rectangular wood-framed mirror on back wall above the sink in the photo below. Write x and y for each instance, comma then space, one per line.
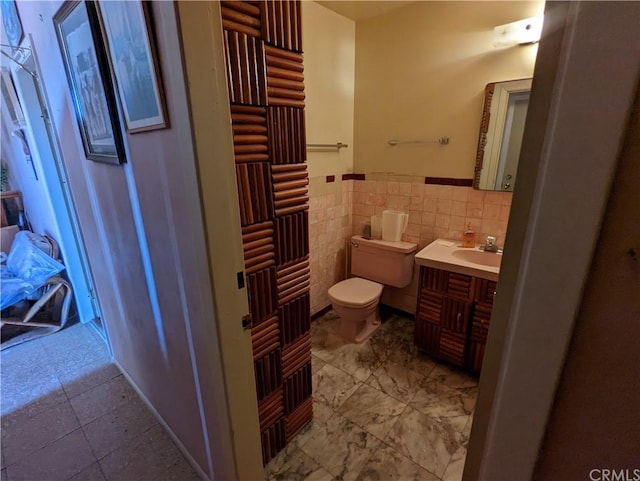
501, 130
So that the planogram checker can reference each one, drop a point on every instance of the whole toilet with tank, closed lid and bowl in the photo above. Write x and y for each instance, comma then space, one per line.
376, 263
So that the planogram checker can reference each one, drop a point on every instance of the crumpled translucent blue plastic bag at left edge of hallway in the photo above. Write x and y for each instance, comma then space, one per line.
28, 268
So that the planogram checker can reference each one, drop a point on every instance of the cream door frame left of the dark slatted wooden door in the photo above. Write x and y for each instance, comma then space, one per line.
236, 443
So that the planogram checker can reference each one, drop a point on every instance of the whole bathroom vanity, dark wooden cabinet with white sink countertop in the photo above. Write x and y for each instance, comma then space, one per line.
455, 298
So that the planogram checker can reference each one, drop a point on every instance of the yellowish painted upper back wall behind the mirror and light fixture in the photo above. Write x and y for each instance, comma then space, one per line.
420, 74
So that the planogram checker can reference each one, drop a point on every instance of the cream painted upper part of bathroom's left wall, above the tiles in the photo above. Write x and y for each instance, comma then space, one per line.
329, 45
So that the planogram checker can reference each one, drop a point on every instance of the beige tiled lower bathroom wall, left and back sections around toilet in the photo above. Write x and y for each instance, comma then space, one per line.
340, 209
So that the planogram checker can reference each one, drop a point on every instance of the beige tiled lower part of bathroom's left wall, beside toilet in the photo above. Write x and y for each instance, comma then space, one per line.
329, 232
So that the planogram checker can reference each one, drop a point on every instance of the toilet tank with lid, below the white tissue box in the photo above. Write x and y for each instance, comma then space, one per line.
386, 262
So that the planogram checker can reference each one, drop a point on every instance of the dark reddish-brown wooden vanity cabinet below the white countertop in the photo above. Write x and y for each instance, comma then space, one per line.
452, 317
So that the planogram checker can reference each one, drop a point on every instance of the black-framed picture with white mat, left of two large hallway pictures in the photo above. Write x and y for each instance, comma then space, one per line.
78, 30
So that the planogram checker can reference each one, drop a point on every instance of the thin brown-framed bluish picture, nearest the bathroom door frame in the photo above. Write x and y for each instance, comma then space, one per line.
128, 32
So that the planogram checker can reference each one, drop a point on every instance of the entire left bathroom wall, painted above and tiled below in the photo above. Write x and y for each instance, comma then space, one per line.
329, 64
